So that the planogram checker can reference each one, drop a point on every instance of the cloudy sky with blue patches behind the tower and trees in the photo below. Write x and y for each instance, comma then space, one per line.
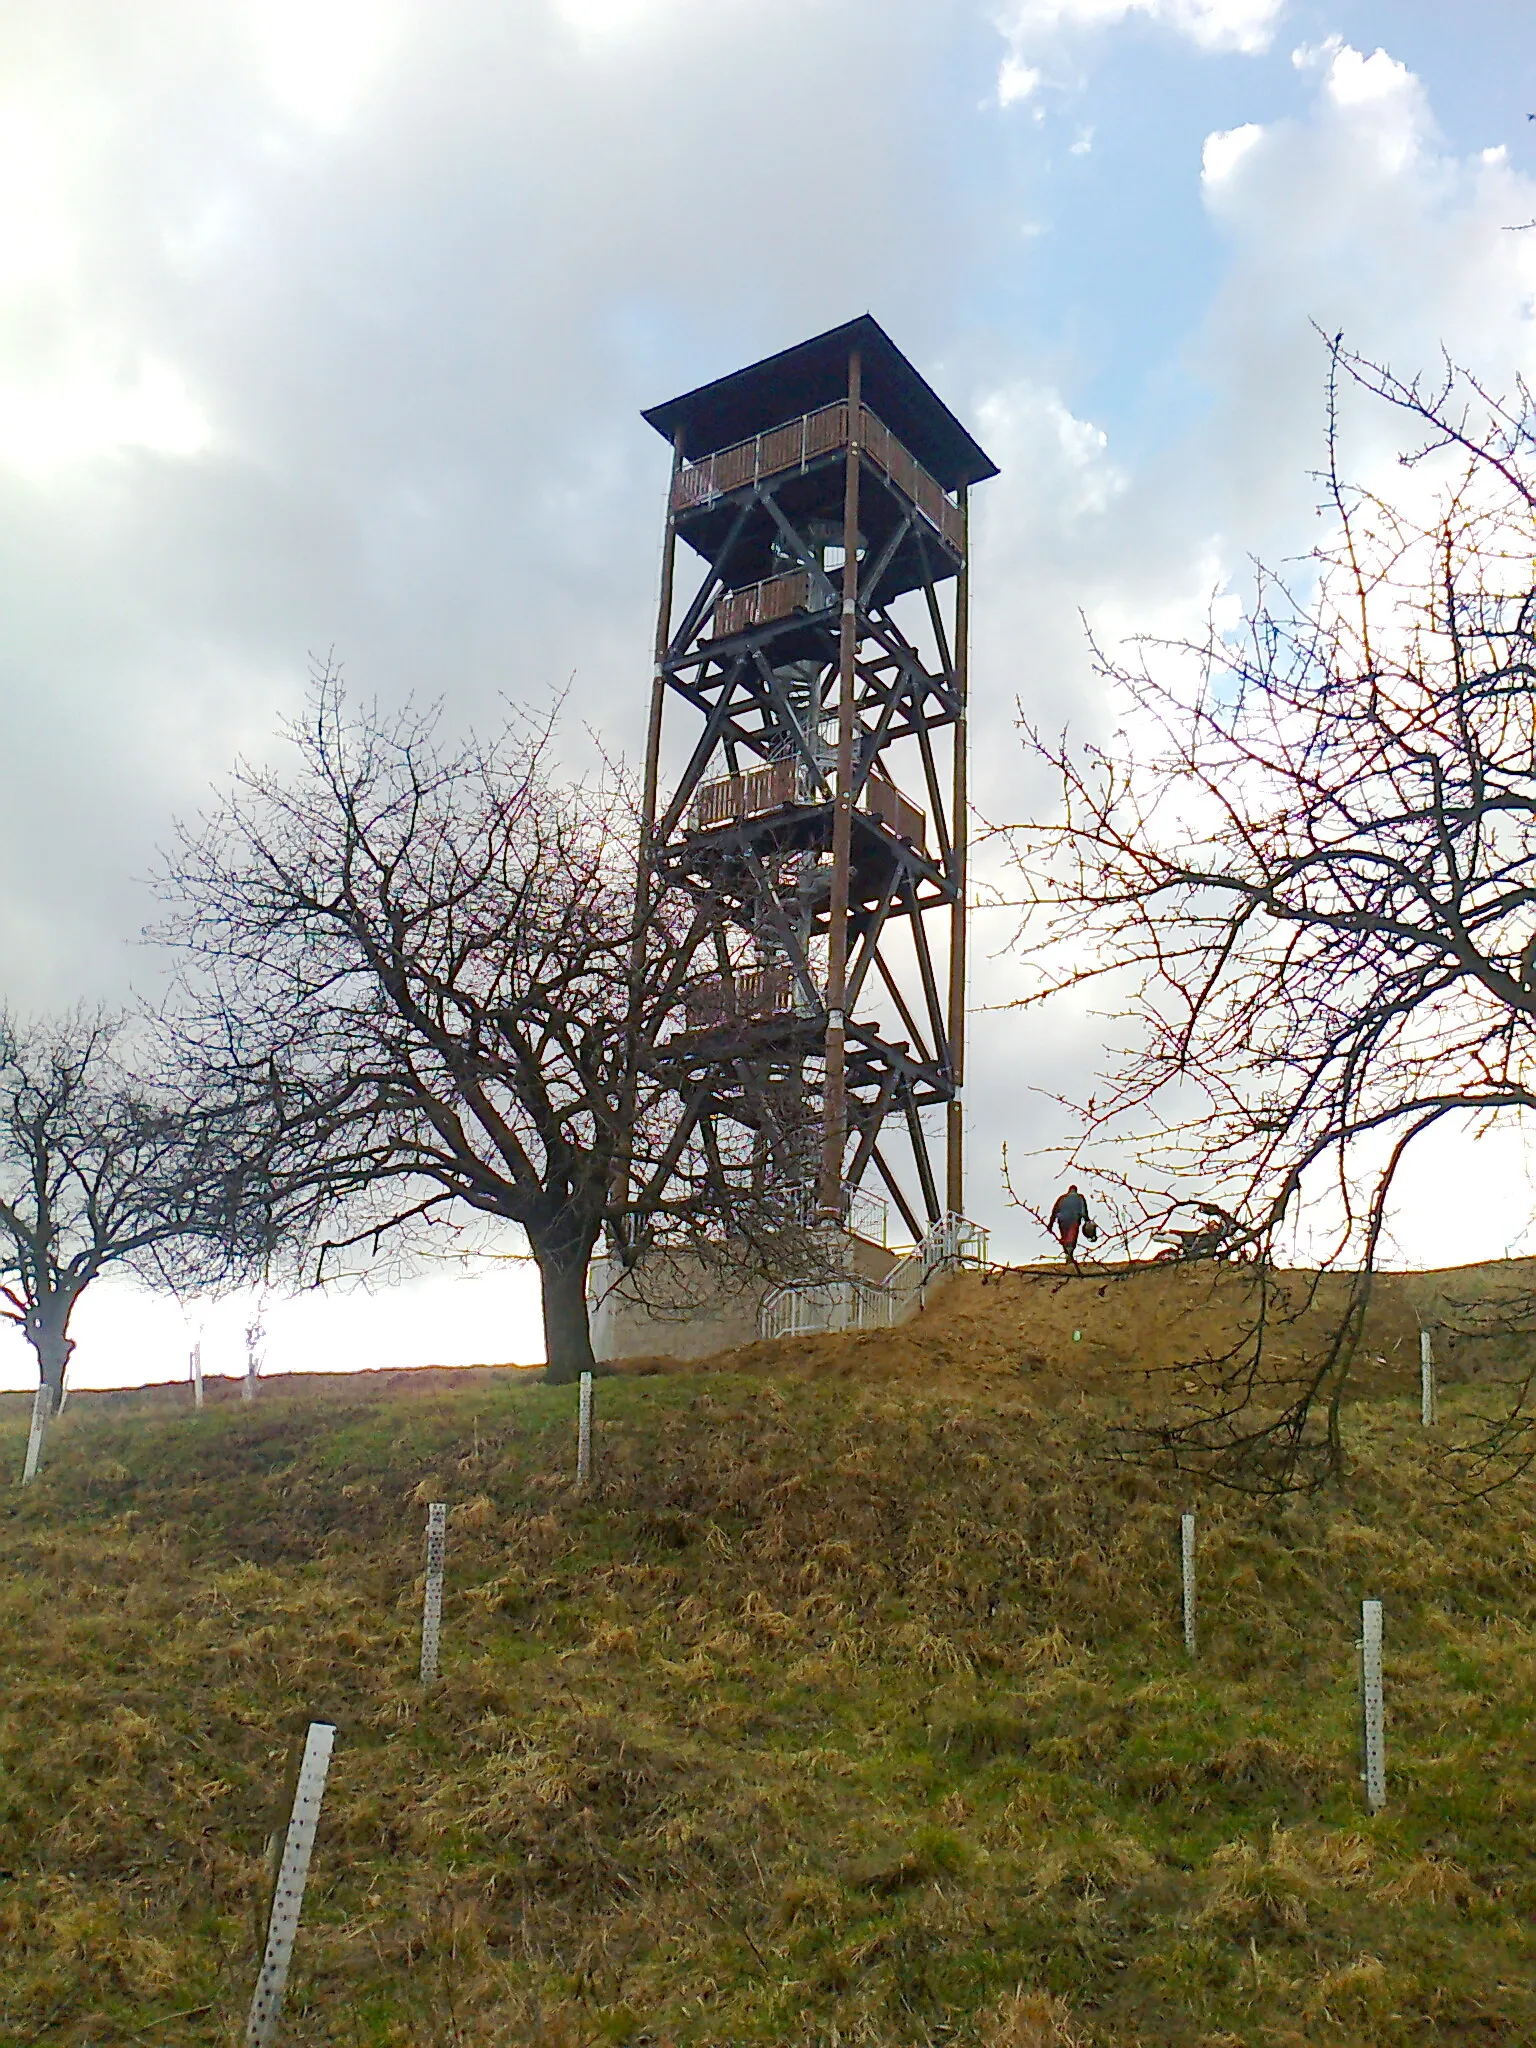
325, 325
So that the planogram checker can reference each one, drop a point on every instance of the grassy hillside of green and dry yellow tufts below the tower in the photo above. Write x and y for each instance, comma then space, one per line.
849, 1709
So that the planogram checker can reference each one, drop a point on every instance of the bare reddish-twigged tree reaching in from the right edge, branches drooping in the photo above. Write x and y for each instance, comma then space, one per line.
1310, 857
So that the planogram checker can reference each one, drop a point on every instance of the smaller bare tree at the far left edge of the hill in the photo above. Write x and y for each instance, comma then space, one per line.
99, 1168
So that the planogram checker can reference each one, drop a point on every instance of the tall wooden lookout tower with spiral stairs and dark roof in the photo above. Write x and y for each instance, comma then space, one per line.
806, 773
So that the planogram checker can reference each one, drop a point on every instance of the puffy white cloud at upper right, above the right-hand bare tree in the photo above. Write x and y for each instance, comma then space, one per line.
1351, 218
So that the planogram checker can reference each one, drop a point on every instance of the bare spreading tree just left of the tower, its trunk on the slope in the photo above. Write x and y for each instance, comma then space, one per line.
423, 972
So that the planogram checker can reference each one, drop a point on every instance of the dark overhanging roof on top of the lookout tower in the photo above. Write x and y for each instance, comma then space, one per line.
816, 374
